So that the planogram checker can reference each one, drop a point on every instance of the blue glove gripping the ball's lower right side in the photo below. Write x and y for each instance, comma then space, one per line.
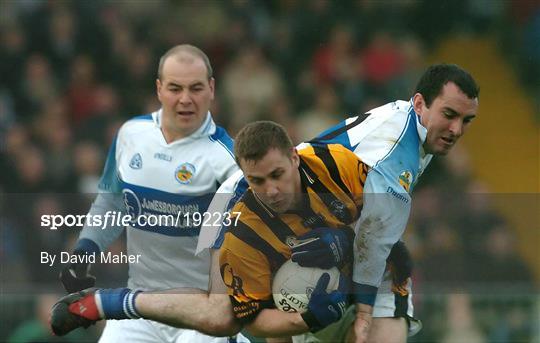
325, 308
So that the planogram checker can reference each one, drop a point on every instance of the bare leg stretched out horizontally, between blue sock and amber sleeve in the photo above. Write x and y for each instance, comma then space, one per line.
191, 309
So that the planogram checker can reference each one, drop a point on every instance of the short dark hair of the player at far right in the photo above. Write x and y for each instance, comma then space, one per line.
436, 76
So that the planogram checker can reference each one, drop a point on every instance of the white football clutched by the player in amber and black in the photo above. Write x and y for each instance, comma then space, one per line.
292, 285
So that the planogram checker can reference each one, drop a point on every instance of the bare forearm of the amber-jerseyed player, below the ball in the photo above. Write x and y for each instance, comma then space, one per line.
275, 323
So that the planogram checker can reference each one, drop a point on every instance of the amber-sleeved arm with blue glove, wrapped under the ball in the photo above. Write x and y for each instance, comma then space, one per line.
246, 273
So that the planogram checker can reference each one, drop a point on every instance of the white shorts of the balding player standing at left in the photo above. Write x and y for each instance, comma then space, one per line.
148, 331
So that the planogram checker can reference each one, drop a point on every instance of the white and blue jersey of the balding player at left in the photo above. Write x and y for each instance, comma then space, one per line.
161, 186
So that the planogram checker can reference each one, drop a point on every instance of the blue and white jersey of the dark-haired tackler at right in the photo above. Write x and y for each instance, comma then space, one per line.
389, 140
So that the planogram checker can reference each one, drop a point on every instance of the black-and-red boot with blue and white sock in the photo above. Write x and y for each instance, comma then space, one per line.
81, 309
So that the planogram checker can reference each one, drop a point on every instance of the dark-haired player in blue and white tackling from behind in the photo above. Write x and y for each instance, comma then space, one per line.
397, 142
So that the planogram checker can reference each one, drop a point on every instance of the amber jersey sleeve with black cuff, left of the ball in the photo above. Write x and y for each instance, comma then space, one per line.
247, 275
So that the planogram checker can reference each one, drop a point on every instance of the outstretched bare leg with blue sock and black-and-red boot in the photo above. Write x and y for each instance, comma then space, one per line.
210, 313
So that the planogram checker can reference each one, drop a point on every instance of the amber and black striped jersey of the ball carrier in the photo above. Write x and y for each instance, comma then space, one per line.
260, 240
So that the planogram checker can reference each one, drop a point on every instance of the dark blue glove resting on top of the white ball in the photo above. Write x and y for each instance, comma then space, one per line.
324, 248
